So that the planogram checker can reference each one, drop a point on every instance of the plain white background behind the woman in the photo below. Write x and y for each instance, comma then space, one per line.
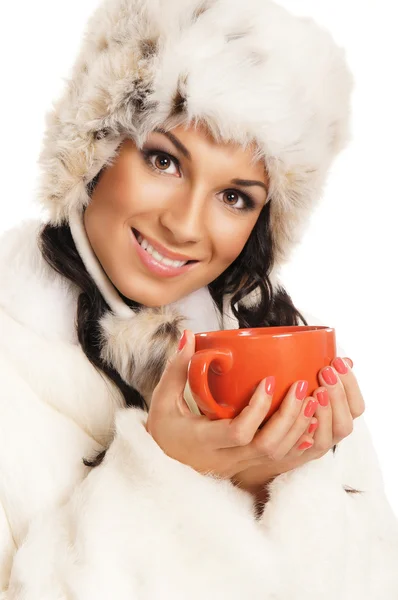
345, 270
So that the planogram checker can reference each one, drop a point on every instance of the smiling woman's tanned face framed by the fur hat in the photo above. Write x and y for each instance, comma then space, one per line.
187, 196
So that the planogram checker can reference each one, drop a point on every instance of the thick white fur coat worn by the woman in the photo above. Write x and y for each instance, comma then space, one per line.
141, 525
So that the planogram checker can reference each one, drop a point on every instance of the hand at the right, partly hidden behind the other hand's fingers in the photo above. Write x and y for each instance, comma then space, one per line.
340, 401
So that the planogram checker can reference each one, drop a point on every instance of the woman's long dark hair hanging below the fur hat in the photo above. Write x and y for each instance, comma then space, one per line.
249, 271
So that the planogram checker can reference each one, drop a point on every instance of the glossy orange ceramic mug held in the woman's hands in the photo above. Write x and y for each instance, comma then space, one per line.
228, 365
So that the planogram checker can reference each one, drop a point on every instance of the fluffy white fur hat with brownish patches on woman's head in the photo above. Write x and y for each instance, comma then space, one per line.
250, 70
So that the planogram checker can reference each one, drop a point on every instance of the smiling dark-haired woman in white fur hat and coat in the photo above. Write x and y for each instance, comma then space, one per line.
200, 132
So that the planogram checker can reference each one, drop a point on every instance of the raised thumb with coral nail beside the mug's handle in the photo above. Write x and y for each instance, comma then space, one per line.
173, 380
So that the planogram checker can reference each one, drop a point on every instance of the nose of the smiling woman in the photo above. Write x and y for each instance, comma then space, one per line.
185, 217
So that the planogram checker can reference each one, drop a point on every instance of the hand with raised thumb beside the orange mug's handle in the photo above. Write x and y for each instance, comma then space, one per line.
226, 447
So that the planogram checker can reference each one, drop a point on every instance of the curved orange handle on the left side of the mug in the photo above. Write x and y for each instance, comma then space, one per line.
198, 373
